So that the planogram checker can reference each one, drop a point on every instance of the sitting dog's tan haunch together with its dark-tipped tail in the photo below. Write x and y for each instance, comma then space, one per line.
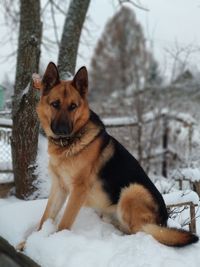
137, 212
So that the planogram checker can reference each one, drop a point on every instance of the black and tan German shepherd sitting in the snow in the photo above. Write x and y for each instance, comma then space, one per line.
92, 168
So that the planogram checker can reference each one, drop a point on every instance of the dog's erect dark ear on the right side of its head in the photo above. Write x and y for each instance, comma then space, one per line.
80, 81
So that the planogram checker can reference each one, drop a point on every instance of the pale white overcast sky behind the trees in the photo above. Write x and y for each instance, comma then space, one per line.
166, 22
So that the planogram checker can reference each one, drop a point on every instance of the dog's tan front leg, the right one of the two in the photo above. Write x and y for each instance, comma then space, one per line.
76, 199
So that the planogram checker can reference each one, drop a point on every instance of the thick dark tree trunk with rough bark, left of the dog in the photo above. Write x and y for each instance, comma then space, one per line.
25, 122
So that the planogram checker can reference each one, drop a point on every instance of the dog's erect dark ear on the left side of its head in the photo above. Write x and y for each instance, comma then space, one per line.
51, 78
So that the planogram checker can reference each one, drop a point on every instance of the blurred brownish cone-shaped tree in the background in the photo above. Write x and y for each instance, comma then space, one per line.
121, 61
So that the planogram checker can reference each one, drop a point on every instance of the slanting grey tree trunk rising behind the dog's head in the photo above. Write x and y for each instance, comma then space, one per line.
71, 35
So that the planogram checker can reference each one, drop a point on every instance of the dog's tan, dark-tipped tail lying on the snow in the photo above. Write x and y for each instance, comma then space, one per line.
170, 236
